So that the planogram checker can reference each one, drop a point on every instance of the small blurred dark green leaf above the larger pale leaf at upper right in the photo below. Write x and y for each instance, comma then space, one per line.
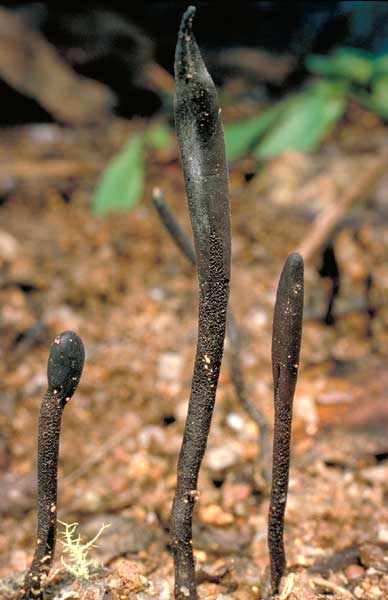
347, 63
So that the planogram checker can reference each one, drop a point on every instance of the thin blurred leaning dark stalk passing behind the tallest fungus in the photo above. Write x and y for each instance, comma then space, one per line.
185, 245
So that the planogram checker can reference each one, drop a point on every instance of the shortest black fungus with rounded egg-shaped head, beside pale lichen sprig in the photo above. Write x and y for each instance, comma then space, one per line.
64, 370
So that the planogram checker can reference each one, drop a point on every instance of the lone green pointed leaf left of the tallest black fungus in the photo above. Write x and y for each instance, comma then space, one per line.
121, 184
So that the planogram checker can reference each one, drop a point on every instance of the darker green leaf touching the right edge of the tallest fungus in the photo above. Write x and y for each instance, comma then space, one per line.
241, 137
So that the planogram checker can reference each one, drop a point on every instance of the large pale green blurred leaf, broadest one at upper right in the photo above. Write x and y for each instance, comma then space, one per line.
306, 120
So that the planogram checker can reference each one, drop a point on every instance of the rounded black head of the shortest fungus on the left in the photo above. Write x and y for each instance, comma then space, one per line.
65, 365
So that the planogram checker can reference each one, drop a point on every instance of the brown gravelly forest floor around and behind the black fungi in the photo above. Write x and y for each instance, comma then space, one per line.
122, 285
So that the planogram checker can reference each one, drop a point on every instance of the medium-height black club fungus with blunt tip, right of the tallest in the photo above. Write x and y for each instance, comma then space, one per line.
286, 339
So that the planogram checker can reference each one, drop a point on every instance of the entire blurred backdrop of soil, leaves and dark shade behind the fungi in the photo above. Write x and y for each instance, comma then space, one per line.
86, 134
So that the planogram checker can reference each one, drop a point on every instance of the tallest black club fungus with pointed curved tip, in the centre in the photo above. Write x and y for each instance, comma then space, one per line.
201, 142
